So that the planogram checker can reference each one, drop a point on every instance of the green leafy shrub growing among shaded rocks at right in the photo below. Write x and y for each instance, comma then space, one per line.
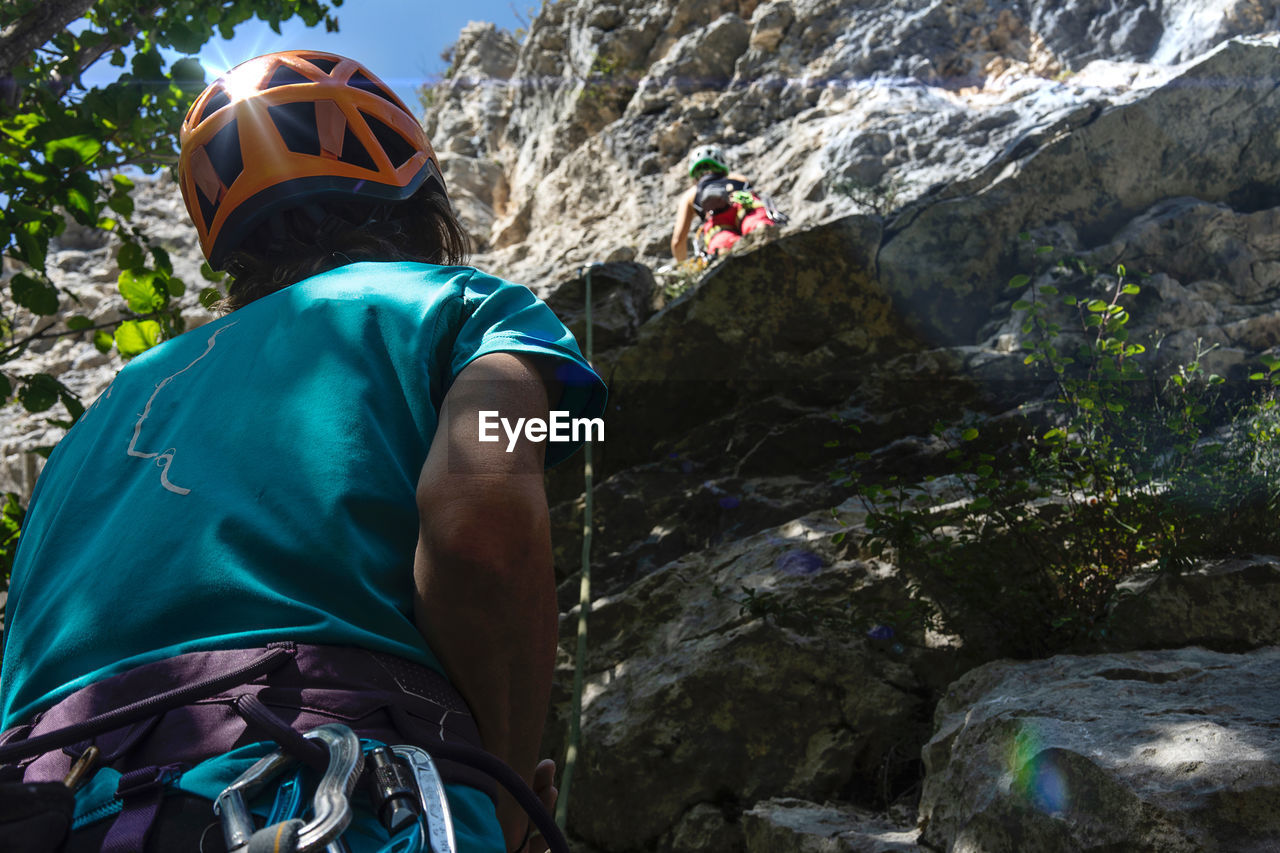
1127, 468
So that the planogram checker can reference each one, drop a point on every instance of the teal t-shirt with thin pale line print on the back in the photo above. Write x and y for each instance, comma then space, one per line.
254, 480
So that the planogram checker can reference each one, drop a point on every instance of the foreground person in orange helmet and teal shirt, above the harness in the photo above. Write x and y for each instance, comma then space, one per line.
308, 469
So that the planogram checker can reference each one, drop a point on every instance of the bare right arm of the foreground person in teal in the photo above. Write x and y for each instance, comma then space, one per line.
486, 586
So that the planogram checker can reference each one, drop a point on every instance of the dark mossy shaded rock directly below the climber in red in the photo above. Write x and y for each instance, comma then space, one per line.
753, 327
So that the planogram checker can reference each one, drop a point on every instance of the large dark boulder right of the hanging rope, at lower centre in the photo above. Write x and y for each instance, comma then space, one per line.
696, 688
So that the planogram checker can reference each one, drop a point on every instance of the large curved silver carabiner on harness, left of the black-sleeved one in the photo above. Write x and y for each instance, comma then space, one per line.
332, 802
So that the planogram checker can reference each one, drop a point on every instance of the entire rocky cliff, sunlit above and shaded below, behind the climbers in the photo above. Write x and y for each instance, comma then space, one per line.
735, 700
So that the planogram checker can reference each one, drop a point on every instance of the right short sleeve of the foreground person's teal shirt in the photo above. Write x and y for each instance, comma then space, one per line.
501, 317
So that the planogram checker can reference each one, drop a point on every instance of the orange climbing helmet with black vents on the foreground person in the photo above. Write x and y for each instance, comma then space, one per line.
292, 129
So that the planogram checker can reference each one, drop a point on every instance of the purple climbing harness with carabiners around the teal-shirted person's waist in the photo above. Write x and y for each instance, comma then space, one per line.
404, 782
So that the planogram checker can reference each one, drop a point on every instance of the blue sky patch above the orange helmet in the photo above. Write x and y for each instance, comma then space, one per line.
399, 40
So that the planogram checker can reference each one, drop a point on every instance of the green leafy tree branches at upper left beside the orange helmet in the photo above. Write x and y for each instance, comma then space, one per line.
65, 150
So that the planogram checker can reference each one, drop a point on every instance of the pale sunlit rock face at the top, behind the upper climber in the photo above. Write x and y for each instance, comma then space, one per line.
829, 106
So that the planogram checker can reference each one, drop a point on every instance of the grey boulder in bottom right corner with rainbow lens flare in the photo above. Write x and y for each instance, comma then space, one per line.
1153, 752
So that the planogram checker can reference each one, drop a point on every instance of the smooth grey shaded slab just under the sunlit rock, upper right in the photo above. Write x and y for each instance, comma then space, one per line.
1095, 180
